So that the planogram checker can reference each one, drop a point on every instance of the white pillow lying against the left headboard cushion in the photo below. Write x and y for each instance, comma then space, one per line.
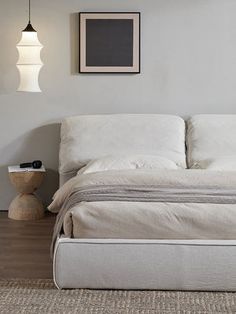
128, 162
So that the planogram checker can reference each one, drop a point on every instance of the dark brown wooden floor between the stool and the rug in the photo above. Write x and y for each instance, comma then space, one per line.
24, 247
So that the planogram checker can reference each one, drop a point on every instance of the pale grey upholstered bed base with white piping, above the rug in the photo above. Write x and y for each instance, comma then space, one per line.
203, 265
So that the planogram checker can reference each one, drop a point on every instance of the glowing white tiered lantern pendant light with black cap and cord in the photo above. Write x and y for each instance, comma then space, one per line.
29, 62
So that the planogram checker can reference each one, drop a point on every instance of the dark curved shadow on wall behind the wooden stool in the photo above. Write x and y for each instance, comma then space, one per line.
40, 143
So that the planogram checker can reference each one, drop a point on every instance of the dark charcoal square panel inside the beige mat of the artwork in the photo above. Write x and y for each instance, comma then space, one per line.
109, 42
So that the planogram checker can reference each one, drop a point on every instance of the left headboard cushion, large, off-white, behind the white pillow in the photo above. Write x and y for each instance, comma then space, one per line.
88, 137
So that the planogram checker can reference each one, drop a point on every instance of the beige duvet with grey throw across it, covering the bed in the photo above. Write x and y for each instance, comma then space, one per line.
160, 204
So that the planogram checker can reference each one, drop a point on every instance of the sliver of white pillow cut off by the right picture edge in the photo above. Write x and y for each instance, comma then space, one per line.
225, 163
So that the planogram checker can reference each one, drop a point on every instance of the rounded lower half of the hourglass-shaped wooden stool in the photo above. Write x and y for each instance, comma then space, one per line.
26, 207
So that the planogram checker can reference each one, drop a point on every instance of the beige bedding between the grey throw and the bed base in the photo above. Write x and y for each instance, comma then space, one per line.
148, 220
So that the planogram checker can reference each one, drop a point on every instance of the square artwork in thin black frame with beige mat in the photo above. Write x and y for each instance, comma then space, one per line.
109, 42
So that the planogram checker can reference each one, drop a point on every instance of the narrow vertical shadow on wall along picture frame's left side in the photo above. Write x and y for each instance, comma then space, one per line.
74, 43
